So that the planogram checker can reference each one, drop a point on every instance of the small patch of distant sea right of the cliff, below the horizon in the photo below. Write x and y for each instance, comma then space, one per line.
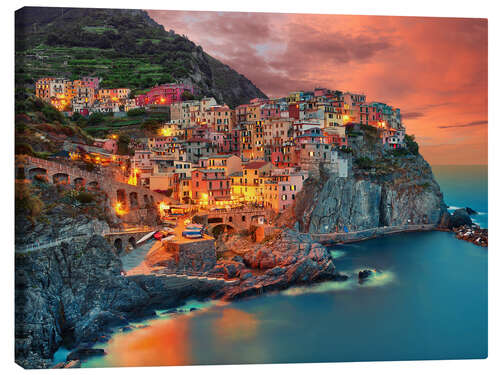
465, 186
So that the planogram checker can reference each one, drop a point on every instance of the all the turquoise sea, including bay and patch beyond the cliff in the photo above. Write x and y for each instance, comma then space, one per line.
428, 300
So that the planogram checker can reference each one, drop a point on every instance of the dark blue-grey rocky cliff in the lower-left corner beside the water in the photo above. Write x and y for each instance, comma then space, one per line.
69, 293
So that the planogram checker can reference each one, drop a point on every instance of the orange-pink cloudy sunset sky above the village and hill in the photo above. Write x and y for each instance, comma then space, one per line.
434, 69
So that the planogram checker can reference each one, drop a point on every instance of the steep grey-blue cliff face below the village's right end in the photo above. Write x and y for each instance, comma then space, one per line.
394, 190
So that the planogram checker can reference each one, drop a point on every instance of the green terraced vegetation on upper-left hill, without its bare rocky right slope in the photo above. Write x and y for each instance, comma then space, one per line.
126, 49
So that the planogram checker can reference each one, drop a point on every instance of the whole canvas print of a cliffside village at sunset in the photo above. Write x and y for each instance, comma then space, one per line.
196, 188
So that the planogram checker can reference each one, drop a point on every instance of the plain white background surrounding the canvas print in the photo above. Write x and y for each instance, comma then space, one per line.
476, 9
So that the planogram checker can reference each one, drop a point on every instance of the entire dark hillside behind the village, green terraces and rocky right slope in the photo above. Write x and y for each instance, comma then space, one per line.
124, 47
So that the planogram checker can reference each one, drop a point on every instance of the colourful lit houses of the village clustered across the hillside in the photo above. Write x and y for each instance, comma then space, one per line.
212, 156
